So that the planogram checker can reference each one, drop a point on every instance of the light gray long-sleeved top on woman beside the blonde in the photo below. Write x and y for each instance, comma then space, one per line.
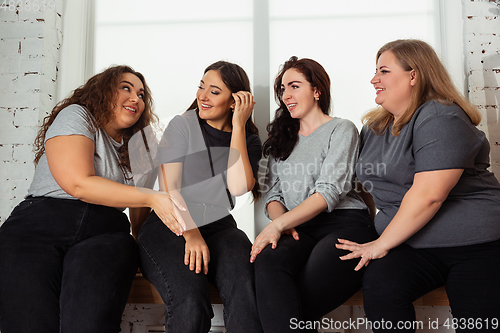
322, 162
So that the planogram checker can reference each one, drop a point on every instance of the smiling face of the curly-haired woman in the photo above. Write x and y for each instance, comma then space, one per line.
128, 106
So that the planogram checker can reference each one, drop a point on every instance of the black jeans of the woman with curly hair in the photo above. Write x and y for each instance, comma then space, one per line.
65, 266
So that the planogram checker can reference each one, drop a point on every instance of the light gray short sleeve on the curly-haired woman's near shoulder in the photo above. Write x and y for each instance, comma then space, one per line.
72, 120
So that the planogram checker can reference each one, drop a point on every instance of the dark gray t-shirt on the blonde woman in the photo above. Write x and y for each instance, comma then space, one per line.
438, 137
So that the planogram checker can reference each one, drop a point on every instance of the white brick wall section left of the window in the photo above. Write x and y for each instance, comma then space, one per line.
29, 57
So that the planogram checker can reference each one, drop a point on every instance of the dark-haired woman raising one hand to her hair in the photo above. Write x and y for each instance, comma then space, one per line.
208, 155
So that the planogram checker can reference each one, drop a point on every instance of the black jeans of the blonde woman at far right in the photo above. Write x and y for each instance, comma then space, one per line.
471, 275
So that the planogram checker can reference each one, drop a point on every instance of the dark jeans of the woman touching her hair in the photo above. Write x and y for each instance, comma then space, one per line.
185, 293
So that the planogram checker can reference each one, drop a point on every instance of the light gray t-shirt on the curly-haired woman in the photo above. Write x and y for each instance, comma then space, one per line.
76, 120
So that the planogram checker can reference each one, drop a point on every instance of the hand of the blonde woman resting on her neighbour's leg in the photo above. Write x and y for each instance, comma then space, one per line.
367, 251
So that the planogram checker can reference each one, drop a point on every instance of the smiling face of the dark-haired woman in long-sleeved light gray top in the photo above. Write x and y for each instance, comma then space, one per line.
298, 94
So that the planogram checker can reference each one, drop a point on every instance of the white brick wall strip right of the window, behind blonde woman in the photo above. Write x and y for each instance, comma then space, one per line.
482, 47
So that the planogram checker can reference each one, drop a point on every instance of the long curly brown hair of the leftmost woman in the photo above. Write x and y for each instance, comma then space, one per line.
98, 96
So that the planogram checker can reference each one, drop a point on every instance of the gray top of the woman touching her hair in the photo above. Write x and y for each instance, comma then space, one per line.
197, 145
